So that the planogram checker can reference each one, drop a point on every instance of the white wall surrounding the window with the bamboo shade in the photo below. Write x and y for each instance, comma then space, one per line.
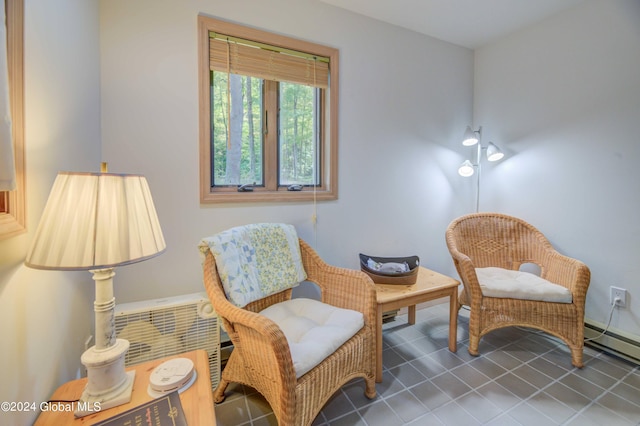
404, 102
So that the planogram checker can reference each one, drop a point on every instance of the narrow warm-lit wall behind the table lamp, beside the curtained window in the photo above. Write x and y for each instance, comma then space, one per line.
45, 316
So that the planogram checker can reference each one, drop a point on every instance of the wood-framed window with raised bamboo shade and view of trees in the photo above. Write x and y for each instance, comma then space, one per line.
268, 116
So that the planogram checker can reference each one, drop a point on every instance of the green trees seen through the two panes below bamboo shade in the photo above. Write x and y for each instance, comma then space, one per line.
237, 129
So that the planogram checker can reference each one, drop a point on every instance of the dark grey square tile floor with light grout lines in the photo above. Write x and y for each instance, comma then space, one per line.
523, 377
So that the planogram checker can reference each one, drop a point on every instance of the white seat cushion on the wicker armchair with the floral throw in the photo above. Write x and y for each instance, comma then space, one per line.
314, 330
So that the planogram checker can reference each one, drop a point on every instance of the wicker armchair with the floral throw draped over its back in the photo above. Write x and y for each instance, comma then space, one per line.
261, 358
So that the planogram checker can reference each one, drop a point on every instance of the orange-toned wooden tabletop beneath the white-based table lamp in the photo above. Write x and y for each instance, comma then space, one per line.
197, 401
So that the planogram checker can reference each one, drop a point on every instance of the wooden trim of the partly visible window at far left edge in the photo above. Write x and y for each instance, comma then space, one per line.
12, 203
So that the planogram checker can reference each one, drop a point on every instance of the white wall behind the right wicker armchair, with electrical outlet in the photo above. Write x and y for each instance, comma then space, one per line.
563, 98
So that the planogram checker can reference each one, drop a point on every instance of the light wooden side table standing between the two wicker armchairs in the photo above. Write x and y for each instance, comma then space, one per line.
430, 285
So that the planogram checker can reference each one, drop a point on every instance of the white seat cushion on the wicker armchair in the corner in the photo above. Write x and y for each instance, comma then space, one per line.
499, 282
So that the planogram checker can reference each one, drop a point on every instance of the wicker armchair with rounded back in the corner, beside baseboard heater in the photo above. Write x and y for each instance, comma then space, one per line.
490, 239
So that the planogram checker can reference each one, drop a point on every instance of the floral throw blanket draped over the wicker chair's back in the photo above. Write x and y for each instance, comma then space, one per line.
256, 260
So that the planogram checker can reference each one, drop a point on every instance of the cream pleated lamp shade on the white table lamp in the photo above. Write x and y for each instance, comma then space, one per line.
96, 221
